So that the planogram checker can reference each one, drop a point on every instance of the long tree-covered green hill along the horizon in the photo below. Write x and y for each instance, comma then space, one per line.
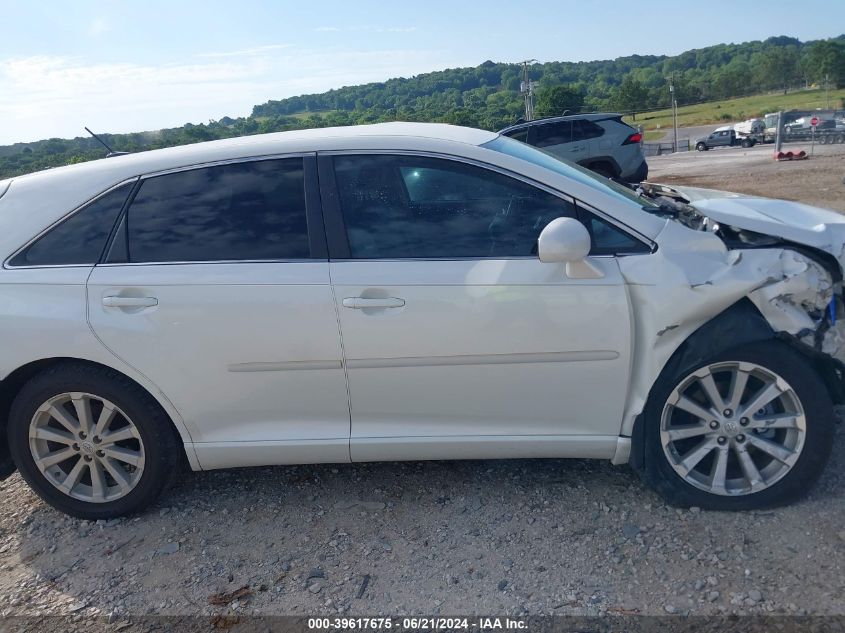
487, 96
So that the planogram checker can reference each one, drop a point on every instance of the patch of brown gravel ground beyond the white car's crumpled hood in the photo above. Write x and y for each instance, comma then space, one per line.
817, 180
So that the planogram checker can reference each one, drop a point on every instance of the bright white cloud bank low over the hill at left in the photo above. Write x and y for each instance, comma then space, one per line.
46, 96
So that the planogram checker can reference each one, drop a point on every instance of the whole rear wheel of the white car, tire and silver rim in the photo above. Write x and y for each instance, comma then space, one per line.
90, 442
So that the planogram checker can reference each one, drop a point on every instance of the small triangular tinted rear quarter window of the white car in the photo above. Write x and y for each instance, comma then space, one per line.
81, 238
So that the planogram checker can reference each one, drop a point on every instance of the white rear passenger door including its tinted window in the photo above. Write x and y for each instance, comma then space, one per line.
216, 287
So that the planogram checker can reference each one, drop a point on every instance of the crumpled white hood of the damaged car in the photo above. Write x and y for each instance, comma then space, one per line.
792, 221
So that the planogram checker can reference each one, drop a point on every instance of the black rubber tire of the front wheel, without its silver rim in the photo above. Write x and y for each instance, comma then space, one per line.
818, 411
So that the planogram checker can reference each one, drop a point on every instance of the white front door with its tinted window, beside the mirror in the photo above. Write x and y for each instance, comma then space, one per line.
458, 341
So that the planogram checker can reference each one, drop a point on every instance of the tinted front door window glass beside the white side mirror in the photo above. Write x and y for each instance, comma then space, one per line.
419, 207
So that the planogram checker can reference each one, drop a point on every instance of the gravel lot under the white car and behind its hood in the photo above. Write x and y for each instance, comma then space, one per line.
496, 537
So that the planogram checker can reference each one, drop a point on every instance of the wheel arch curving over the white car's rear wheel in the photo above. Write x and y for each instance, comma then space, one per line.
12, 383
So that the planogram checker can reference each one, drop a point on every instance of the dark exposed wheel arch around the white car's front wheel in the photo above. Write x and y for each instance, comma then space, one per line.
740, 324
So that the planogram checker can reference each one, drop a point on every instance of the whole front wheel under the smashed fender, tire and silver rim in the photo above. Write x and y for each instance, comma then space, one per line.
751, 428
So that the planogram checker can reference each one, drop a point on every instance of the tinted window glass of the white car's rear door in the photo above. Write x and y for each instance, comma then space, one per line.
242, 211
